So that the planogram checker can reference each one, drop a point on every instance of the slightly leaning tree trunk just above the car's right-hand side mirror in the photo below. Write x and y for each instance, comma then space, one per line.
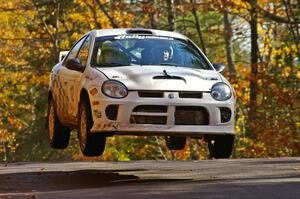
228, 43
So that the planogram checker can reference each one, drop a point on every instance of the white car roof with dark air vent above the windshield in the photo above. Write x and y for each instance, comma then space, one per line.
126, 31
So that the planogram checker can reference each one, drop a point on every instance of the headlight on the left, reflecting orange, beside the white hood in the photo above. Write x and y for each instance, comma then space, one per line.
114, 89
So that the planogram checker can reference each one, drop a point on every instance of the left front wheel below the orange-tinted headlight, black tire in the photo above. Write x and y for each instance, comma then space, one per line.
91, 144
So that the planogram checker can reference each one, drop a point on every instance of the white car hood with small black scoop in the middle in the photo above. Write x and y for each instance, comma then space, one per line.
154, 77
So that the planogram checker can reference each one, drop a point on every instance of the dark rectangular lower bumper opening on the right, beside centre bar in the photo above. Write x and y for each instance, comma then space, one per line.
190, 115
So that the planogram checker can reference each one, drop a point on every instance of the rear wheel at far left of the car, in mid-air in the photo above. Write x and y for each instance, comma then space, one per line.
59, 135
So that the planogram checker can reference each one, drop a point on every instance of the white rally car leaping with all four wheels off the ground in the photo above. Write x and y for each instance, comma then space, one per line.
139, 82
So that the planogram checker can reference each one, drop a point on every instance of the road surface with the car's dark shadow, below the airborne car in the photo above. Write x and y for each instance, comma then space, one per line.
243, 178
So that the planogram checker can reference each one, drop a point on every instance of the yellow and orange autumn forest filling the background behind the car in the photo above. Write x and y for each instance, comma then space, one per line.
259, 40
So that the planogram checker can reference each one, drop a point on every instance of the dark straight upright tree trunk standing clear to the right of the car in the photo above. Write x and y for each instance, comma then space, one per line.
254, 70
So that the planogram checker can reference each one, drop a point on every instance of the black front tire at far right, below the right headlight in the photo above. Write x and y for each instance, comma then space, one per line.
221, 146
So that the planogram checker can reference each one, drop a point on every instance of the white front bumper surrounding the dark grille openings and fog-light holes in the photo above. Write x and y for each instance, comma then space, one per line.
123, 124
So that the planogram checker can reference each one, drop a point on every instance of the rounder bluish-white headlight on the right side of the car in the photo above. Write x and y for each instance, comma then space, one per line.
220, 91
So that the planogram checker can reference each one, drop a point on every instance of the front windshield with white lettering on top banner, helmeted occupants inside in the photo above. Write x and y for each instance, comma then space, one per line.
128, 50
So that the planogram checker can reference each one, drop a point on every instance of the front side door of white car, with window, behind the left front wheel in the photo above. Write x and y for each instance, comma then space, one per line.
70, 79
